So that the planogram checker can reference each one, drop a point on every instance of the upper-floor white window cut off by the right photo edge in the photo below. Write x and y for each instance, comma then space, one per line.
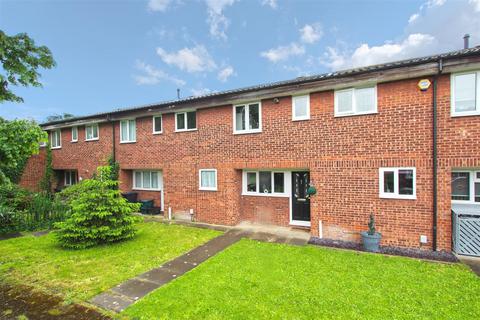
465, 91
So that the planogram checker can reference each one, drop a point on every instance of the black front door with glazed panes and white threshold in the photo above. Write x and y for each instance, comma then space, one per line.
300, 198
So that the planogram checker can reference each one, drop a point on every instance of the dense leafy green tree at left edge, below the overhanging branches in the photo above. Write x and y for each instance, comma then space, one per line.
19, 139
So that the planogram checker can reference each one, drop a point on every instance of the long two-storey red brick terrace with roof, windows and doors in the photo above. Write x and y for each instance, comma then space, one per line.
399, 140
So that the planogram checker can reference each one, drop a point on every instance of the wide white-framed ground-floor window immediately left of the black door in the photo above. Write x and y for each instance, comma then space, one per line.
268, 183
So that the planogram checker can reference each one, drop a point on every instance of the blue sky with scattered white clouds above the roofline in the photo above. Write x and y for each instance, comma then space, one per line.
125, 53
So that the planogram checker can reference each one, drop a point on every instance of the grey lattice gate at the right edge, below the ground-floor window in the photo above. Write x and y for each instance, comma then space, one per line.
466, 229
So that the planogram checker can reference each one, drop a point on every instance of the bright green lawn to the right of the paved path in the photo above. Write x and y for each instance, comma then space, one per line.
254, 280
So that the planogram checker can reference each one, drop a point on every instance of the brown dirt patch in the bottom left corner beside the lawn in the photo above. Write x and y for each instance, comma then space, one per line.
21, 302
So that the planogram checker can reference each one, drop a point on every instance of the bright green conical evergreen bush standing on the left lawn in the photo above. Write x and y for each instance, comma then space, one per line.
99, 214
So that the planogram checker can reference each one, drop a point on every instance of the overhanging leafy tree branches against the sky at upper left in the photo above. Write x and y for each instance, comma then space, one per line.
20, 59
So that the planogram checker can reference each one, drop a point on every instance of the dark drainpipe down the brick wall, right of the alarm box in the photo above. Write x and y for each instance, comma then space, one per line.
435, 161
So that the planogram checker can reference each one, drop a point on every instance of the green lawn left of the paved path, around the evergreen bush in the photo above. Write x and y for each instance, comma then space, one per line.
78, 275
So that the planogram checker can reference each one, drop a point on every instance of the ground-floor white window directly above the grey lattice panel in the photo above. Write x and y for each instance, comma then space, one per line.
466, 186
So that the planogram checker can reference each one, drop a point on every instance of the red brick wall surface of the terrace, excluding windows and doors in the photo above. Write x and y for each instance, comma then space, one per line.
342, 154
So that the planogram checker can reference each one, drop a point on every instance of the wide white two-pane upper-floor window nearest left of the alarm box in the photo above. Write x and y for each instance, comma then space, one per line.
355, 101
